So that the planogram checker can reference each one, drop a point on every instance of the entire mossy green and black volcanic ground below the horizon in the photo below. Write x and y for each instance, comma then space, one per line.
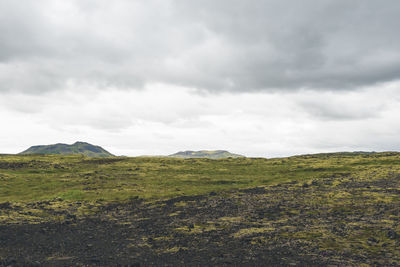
323, 209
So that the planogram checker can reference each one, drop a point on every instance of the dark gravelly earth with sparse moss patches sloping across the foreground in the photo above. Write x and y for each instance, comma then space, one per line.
208, 230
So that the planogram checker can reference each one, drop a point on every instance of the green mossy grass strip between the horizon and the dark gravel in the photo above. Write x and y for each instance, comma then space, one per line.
44, 177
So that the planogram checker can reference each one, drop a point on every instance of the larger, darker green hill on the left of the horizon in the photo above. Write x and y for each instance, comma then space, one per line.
64, 149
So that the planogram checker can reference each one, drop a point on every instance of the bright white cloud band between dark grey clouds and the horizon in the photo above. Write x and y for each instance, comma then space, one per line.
163, 119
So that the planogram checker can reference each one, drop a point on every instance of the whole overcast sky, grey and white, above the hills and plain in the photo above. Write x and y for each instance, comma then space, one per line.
262, 78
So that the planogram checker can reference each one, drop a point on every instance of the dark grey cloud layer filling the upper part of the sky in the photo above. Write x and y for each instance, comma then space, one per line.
209, 45
